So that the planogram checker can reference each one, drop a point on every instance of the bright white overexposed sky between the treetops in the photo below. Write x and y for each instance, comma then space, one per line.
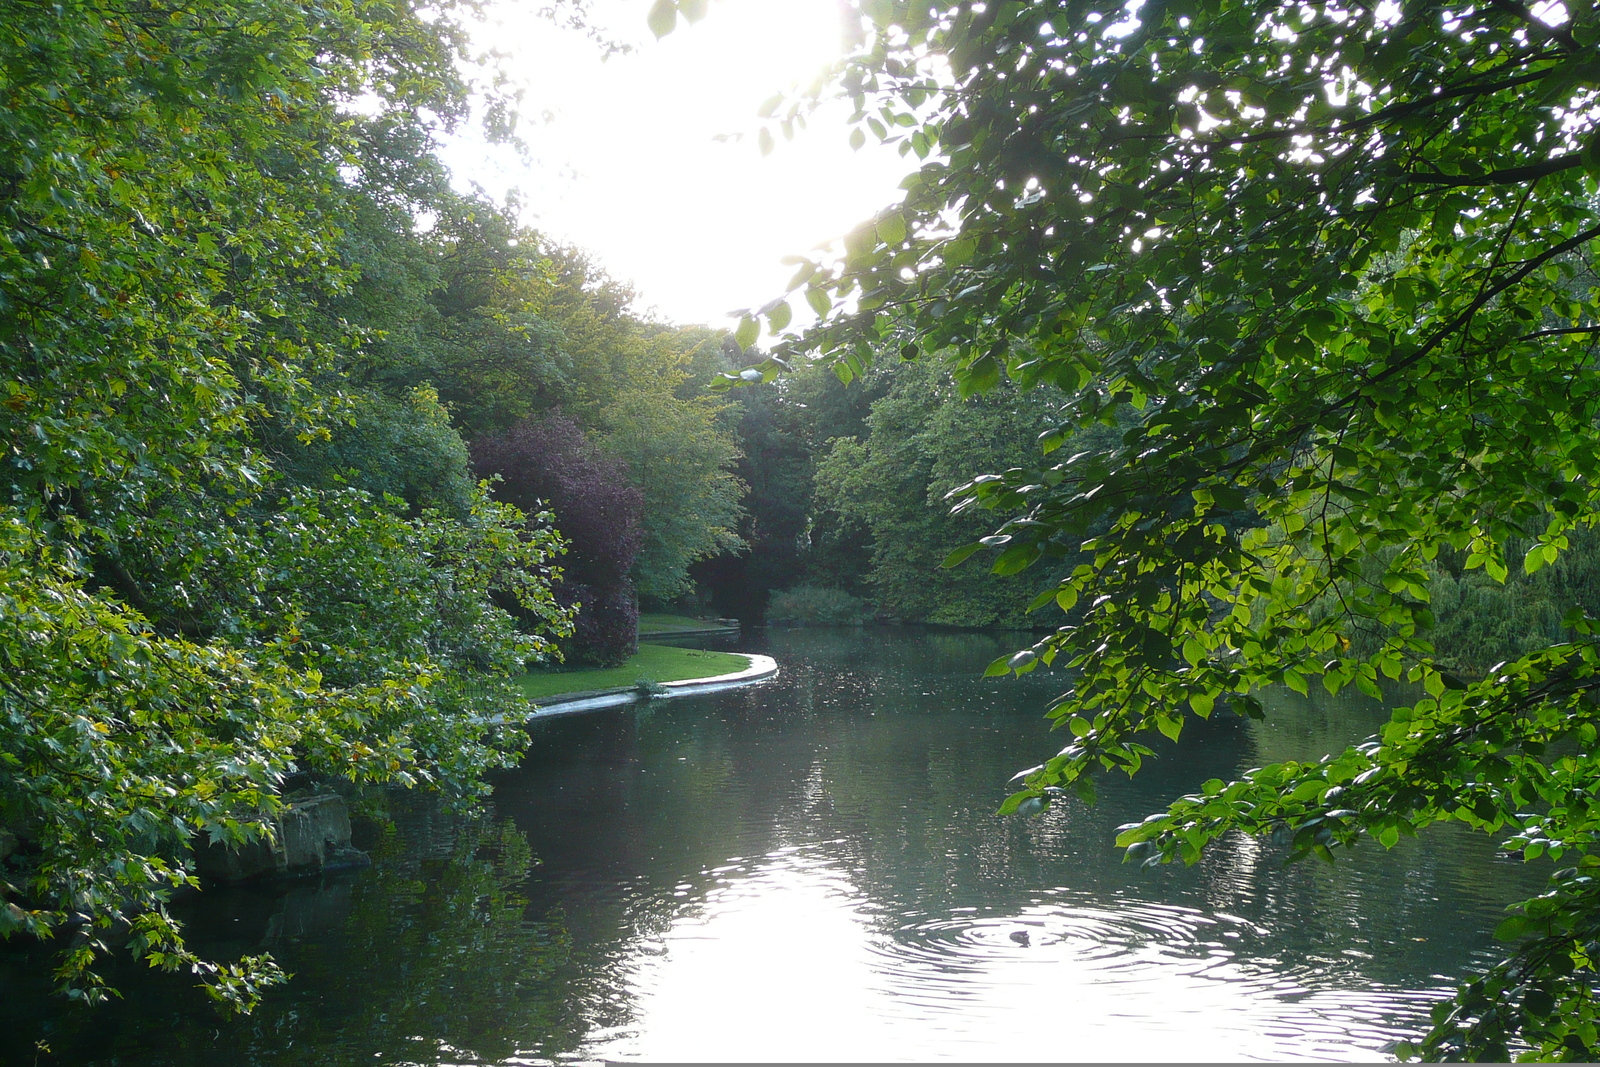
628, 164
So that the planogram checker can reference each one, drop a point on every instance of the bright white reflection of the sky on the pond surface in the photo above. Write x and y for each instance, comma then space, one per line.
786, 961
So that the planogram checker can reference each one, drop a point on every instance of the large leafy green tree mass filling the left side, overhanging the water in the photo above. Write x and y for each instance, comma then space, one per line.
206, 588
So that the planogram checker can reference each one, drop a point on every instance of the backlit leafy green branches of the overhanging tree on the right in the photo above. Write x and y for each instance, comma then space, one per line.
1335, 266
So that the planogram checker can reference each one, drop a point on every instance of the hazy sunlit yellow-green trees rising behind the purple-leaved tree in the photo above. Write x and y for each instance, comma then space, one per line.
510, 327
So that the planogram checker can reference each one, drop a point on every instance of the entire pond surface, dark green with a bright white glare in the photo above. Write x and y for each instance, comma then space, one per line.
812, 869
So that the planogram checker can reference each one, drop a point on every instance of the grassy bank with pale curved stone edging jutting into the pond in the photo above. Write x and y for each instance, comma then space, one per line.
654, 669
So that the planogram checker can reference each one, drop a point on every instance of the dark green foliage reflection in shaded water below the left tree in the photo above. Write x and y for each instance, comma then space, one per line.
430, 957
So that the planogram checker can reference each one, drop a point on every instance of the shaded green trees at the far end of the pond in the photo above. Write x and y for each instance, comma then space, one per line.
849, 494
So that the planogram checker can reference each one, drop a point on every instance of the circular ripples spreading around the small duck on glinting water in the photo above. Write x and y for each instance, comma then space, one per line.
1183, 980
